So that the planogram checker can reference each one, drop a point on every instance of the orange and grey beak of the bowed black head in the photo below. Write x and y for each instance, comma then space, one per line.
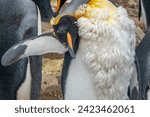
70, 45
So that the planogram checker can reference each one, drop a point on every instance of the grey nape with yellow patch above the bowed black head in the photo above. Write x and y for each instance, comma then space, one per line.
67, 9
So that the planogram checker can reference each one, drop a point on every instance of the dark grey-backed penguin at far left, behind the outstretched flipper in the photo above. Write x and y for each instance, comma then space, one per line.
18, 21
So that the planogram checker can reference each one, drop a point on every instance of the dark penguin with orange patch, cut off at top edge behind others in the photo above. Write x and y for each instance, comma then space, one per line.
46, 10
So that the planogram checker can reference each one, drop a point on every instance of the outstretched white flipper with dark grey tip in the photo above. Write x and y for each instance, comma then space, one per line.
42, 44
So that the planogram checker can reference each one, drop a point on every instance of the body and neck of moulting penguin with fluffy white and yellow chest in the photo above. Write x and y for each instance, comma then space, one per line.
103, 63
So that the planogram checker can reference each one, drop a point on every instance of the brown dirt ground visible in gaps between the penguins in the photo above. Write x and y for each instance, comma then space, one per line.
52, 63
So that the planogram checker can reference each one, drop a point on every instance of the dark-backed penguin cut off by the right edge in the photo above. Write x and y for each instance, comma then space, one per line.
143, 53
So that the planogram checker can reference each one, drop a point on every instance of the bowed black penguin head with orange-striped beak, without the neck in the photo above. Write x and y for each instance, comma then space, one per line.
67, 32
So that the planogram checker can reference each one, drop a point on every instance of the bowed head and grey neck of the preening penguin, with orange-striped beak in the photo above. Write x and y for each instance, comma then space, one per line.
65, 26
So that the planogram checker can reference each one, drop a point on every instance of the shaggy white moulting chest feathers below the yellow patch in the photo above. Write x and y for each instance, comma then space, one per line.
107, 50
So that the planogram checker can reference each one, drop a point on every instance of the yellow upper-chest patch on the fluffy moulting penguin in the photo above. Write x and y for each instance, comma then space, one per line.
90, 9
